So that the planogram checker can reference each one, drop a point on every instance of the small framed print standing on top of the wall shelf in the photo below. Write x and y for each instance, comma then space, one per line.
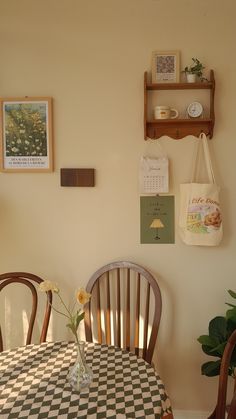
165, 67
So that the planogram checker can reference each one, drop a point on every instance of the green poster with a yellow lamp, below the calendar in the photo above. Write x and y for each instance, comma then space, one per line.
157, 219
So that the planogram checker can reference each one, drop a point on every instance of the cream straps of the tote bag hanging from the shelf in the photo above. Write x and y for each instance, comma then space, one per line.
202, 141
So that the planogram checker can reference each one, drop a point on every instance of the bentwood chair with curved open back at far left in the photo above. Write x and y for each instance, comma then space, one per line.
28, 280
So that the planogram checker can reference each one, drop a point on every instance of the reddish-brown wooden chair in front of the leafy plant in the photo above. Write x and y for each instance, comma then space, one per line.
221, 408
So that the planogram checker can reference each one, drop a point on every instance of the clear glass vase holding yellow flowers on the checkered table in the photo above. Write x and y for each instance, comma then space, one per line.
80, 375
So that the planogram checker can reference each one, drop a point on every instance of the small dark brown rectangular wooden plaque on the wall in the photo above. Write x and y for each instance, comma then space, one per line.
77, 177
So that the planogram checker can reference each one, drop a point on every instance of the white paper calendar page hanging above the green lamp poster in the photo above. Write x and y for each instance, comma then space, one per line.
154, 175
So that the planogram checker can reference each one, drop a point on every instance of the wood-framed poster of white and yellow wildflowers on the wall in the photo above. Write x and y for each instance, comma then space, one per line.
26, 131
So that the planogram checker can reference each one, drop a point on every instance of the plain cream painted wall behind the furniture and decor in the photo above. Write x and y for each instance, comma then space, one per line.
90, 57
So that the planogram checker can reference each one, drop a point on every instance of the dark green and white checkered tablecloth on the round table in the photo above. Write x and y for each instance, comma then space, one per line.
33, 384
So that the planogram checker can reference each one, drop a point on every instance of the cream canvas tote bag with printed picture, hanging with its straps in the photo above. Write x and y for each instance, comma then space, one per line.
200, 220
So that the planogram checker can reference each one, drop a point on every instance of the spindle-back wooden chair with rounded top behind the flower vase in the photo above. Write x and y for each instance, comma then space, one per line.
117, 307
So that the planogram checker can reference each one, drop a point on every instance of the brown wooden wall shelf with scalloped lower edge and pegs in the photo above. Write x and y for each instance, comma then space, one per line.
179, 128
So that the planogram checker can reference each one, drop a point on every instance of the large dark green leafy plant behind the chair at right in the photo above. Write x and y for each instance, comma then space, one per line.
220, 328
